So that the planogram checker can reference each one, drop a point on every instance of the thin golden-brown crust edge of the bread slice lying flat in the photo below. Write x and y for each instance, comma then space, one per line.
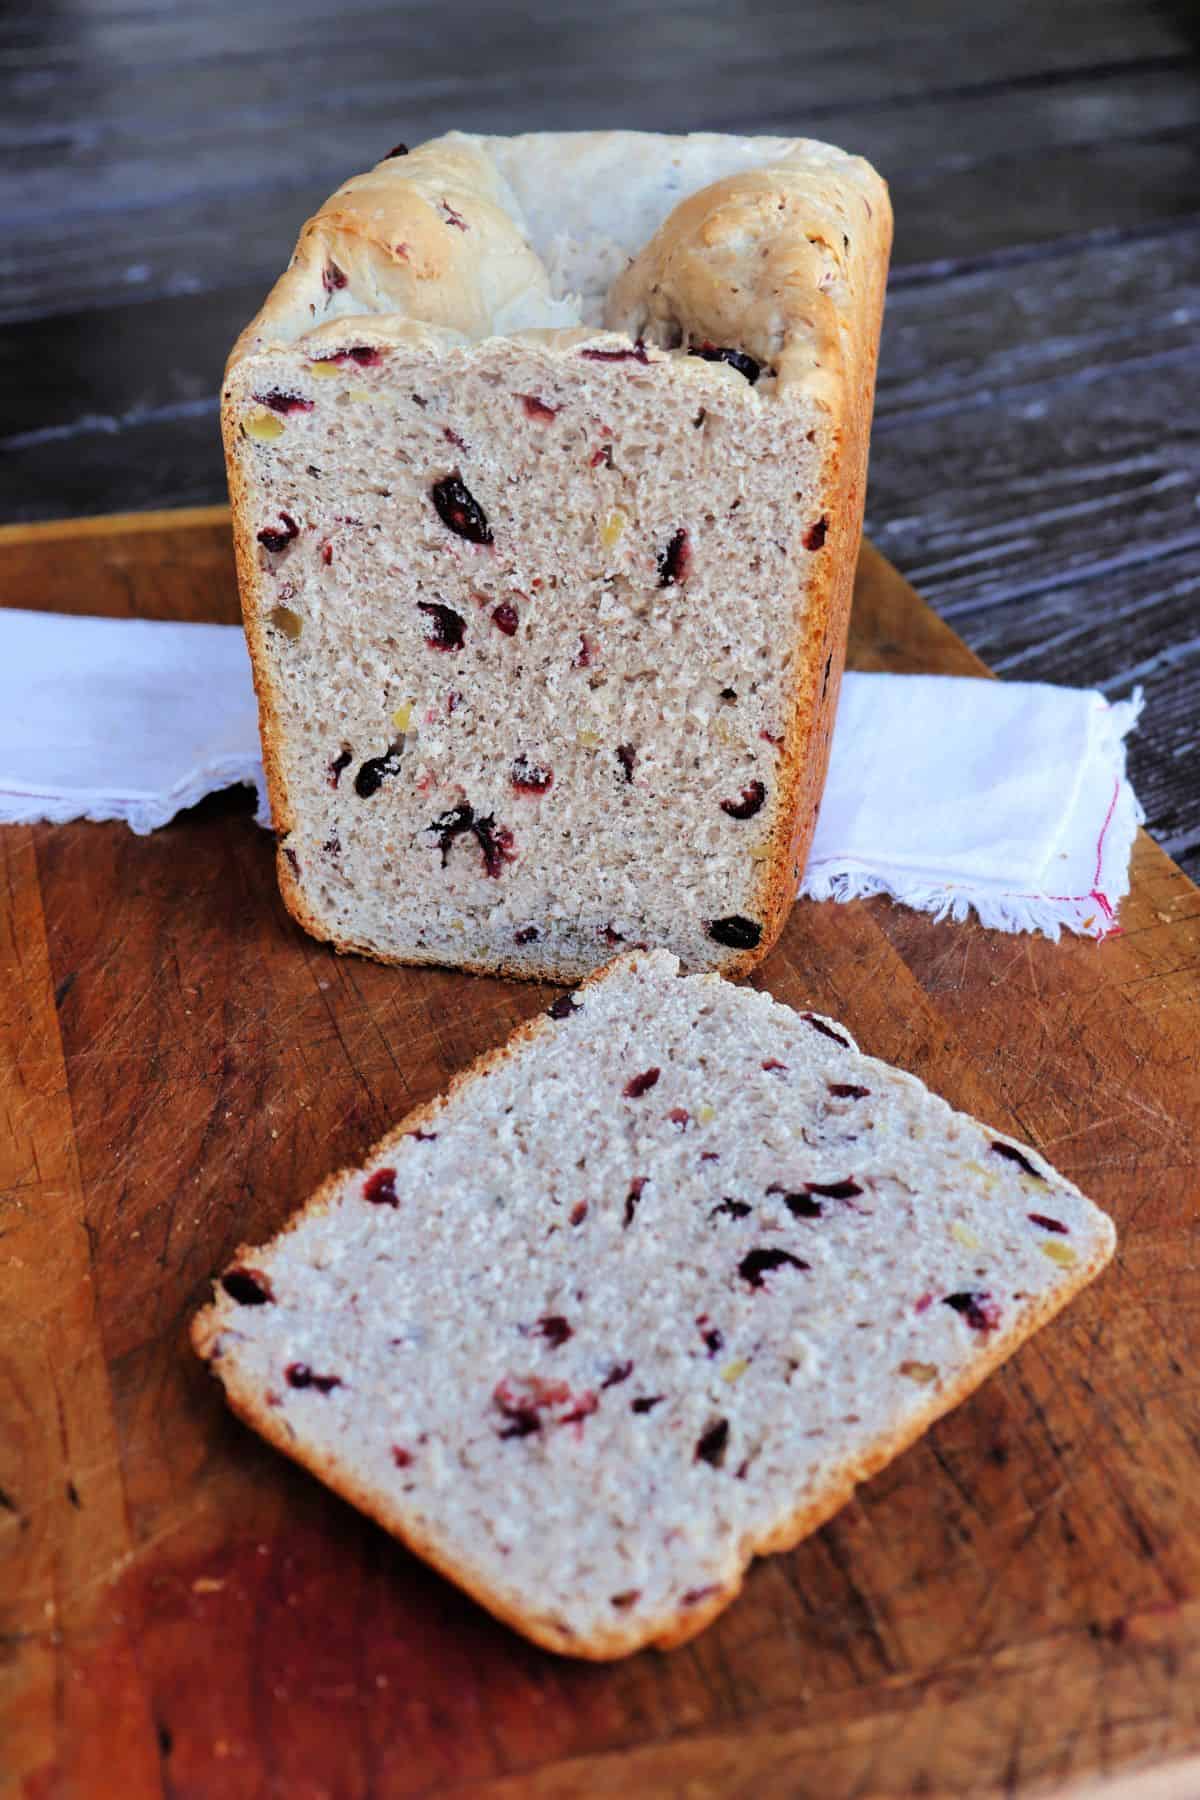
661, 1633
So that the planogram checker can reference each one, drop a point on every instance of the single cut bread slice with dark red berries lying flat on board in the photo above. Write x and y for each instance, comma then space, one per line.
643, 1297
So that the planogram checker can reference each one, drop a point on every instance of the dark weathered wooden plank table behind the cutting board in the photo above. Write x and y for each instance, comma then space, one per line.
1037, 453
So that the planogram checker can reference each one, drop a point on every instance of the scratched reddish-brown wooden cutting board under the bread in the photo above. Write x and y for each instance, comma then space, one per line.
1010, 1608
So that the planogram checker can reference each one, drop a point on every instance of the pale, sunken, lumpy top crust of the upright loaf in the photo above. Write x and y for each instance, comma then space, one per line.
704, 242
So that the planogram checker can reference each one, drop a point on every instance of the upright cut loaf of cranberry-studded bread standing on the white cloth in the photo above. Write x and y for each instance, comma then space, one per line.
548, 467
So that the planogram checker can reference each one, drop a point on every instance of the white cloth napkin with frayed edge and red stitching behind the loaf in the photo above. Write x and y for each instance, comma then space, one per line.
951, 795
